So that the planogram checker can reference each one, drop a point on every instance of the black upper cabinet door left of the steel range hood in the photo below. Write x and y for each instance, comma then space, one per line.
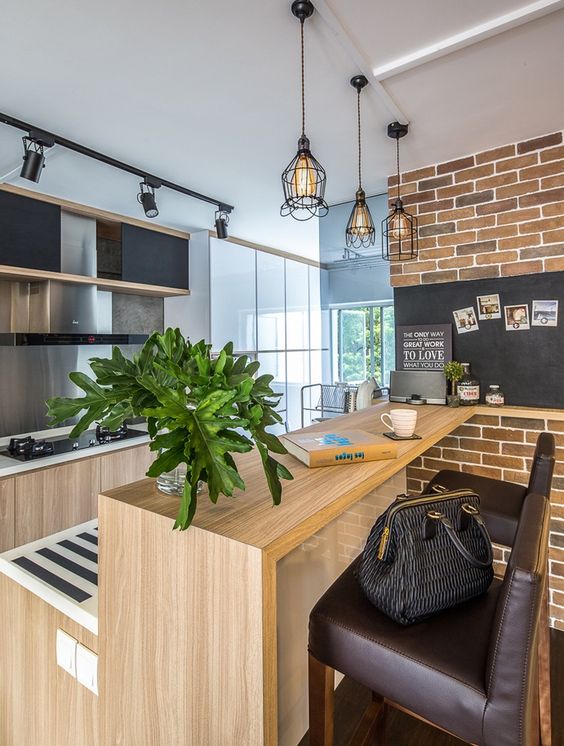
30, 233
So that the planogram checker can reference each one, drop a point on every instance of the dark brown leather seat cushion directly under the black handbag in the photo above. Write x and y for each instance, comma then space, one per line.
432, 668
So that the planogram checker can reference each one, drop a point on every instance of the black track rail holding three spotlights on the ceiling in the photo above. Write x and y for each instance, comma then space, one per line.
49, 139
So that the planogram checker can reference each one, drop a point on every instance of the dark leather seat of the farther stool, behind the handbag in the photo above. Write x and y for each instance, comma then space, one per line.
500, 502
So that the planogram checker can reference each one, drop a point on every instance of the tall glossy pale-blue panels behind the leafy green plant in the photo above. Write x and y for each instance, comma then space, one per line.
269, 306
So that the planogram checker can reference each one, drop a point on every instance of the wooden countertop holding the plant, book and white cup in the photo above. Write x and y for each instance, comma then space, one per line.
315, 496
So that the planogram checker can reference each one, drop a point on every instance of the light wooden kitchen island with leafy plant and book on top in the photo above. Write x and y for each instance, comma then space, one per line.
203, 633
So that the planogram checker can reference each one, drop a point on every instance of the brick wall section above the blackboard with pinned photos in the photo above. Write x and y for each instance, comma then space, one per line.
493, 214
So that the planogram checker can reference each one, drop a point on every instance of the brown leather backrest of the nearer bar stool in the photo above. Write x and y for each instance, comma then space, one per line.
511, 674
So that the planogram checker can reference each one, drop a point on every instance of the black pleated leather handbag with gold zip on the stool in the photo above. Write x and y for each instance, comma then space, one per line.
426, 553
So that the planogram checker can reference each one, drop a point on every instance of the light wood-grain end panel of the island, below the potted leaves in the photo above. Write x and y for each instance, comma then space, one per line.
181, 647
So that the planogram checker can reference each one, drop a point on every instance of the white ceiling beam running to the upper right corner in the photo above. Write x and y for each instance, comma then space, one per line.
467, 38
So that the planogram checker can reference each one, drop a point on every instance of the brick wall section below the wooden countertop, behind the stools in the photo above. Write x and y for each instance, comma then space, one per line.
502, 448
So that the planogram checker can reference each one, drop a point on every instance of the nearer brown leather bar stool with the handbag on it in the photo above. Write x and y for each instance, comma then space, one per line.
471, 671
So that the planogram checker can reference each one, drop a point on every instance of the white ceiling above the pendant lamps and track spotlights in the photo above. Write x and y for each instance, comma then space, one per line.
207, 94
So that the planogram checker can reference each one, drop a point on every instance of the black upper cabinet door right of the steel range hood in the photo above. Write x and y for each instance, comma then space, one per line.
154, 258
